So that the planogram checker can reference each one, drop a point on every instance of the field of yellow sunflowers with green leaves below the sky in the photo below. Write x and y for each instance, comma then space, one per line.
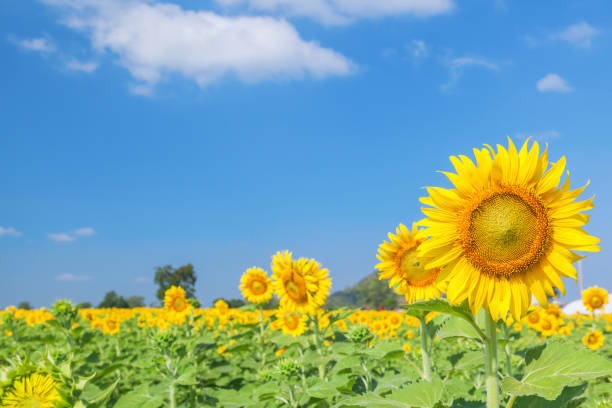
470, 334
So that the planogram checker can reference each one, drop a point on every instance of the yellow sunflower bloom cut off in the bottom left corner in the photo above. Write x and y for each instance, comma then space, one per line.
34, 390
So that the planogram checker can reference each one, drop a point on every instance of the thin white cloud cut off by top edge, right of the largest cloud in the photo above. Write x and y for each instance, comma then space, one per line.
333, 12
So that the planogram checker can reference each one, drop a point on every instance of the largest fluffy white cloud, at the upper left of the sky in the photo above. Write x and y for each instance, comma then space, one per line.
155, 40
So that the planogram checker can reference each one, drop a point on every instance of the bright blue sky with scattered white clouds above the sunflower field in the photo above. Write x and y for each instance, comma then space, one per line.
141, 133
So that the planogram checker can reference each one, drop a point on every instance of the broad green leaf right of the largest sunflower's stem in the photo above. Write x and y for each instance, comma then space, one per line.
559, 365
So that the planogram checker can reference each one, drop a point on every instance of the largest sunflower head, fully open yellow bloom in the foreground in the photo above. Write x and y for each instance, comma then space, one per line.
506, 231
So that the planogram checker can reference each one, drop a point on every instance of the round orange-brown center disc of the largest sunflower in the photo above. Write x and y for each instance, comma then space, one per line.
506, 232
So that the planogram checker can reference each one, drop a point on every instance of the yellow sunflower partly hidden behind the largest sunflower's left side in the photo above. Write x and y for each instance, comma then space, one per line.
405, 270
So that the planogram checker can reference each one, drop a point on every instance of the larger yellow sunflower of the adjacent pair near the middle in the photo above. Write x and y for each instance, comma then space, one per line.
301, 285
